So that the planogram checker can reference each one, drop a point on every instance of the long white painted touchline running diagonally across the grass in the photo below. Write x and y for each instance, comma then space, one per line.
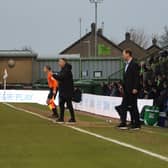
147, 152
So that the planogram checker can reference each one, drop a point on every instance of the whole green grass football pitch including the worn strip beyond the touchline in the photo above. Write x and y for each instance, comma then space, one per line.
28, 141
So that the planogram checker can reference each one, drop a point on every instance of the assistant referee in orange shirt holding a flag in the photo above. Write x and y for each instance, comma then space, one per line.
53, 86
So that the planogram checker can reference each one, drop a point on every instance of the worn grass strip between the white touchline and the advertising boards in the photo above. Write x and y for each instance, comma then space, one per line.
153, 139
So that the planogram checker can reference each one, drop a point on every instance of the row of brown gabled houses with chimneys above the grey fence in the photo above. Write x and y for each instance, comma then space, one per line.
85, 46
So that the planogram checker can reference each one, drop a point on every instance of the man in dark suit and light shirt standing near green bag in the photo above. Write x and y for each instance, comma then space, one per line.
131, 84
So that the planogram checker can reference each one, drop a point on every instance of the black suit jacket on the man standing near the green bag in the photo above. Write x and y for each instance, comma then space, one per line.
131, 78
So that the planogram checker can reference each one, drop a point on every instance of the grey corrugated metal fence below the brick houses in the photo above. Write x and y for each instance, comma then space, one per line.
85, 68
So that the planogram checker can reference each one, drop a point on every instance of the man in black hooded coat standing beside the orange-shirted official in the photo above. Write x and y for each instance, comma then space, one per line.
66, 89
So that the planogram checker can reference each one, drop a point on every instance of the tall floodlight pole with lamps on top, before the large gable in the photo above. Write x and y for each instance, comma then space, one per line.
96, 2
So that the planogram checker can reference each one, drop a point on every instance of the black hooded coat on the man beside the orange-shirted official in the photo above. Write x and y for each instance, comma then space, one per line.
65, 79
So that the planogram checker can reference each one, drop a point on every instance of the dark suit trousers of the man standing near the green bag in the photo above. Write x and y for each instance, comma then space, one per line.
129, 103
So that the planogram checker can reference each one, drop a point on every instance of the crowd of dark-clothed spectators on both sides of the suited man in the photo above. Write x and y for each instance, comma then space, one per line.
154, 81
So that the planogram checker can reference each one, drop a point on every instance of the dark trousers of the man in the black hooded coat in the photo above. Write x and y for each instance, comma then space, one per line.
68, 101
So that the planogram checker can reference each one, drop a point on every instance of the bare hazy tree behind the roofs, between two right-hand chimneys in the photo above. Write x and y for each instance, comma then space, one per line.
139, 37
